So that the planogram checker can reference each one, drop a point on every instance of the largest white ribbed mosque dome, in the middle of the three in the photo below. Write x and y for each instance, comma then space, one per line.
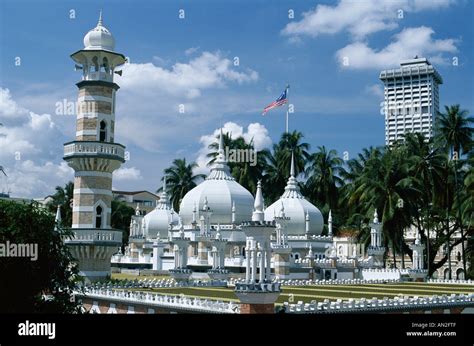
221, 193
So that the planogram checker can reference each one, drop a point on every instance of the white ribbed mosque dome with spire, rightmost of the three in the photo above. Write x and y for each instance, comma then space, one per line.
297, 208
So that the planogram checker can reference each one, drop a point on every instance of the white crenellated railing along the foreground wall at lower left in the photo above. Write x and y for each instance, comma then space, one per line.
165, 301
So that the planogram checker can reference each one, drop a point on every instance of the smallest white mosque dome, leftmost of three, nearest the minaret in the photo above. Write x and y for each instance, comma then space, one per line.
158, 220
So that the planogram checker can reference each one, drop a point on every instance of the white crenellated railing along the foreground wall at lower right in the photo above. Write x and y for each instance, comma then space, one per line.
385, 304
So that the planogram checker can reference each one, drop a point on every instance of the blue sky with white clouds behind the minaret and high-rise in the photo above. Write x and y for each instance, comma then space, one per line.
190, 61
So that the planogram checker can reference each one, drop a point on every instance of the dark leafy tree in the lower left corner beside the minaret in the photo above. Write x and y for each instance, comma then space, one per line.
43, 285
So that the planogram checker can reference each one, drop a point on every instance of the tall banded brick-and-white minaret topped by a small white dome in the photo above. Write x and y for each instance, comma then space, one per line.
93, 154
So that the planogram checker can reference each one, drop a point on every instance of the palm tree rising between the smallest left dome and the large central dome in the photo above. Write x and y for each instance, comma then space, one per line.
180, 179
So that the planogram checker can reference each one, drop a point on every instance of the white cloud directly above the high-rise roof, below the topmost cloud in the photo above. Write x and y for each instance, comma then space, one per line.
408, 43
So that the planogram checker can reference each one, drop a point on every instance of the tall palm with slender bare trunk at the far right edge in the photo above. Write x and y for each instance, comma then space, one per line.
454, 133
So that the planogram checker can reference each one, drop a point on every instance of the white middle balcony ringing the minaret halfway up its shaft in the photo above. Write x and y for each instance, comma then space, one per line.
106, 150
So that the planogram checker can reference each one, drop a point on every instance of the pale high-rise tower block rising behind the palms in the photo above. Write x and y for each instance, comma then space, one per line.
411, 98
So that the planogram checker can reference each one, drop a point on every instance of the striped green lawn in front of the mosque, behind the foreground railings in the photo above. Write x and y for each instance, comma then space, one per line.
331, 292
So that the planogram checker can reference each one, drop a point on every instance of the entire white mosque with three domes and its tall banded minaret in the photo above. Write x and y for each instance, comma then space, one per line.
210, 234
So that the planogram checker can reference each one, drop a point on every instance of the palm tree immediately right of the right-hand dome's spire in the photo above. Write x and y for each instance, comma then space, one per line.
324, 172
